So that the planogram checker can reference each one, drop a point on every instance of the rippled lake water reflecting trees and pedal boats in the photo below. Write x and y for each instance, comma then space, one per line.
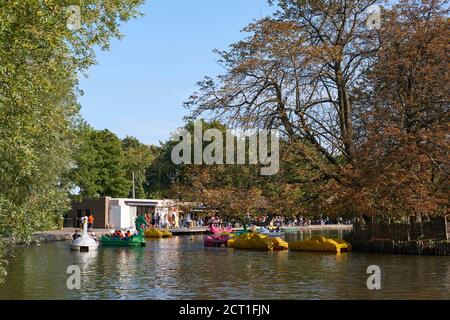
181, 268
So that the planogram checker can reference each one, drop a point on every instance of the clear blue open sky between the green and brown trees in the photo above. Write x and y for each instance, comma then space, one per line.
138, 87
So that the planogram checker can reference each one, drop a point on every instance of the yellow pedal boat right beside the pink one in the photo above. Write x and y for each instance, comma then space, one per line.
256, 241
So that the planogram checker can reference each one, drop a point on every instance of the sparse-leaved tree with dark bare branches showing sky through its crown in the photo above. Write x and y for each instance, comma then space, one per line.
296, 72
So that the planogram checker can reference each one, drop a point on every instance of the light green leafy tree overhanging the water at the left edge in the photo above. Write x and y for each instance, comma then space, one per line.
43, 48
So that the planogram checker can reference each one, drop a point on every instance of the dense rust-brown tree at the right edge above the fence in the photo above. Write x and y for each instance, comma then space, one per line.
403, 159
